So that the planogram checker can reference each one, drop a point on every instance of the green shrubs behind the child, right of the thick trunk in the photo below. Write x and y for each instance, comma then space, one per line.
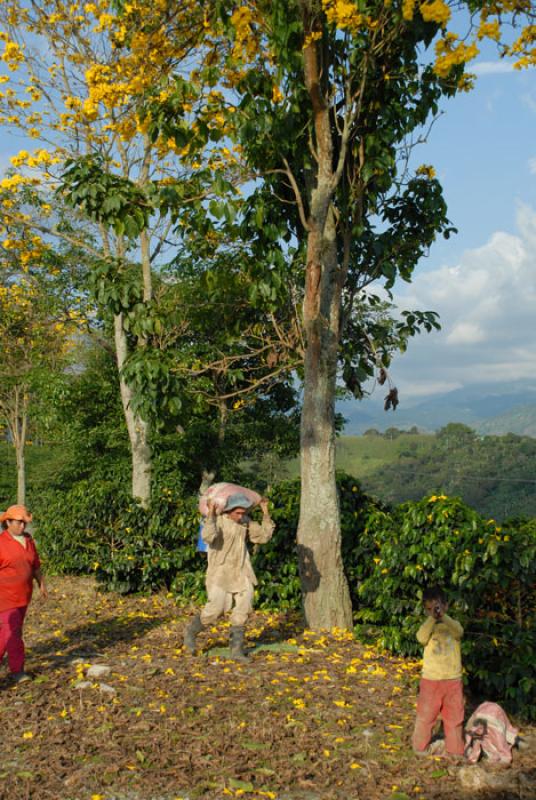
489, 573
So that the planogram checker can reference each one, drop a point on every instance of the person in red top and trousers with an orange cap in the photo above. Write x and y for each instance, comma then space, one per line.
19, 567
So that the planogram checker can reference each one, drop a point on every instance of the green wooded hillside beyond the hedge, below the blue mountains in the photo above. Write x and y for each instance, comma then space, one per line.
496, 475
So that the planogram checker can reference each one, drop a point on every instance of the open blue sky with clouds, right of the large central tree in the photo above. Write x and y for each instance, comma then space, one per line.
482, 281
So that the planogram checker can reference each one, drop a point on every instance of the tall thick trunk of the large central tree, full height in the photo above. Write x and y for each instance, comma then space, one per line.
326, 597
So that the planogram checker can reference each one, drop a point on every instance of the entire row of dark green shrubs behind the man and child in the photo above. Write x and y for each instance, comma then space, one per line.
489, 572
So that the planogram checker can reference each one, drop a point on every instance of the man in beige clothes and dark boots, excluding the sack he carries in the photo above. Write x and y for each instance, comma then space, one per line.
230, 579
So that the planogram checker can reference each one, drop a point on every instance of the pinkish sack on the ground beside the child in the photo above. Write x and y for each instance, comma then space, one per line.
489, 732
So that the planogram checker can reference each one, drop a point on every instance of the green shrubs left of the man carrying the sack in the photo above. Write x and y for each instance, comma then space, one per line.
97, 528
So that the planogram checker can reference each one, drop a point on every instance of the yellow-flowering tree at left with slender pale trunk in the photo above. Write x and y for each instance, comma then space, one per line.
73, 75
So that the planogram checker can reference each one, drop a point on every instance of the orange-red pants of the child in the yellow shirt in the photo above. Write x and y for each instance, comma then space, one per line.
437, 698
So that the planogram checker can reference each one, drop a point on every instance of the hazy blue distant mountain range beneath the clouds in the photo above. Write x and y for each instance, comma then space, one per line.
490, 409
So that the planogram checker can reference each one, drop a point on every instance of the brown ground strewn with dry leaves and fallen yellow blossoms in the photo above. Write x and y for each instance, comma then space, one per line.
313, 716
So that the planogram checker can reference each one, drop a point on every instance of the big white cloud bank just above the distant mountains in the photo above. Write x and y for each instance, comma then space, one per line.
487, 308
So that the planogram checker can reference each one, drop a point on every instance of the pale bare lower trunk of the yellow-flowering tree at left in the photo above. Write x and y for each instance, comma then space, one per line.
138, 428
